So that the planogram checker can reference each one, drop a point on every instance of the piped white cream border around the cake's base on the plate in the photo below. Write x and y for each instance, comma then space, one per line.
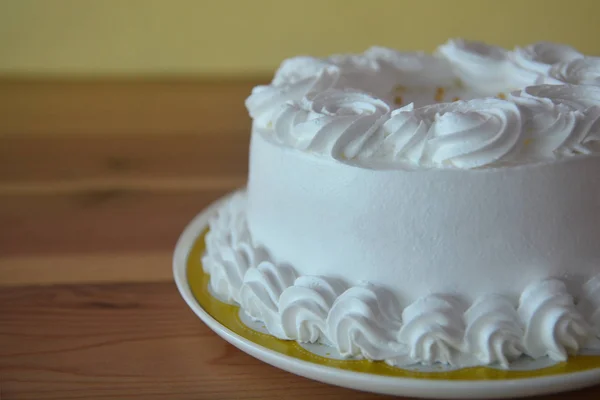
366, 320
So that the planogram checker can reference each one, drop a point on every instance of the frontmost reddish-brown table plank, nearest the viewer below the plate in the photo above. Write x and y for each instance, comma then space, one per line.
130, 341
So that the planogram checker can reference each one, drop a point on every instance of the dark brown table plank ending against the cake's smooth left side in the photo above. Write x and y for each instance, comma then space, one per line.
105, 161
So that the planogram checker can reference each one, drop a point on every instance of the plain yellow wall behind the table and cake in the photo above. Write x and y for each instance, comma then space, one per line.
250, 37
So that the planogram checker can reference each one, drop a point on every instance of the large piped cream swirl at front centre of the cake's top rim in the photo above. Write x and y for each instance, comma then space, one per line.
467, 134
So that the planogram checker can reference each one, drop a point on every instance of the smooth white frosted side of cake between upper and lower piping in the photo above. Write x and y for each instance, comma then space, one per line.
426, 231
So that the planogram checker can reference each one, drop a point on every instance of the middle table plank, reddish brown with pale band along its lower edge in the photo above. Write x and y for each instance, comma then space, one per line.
94, 235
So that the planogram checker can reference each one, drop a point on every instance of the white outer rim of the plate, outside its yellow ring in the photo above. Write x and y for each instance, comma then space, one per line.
422, 386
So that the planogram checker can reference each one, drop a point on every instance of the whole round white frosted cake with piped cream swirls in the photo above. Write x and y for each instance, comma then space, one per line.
419, 208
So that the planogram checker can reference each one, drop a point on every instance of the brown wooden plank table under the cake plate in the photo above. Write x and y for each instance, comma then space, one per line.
97, 180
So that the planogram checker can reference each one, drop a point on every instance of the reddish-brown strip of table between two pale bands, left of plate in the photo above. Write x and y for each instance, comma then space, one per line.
106, 221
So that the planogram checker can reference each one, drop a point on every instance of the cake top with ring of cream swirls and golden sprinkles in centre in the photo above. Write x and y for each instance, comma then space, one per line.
469, 105
